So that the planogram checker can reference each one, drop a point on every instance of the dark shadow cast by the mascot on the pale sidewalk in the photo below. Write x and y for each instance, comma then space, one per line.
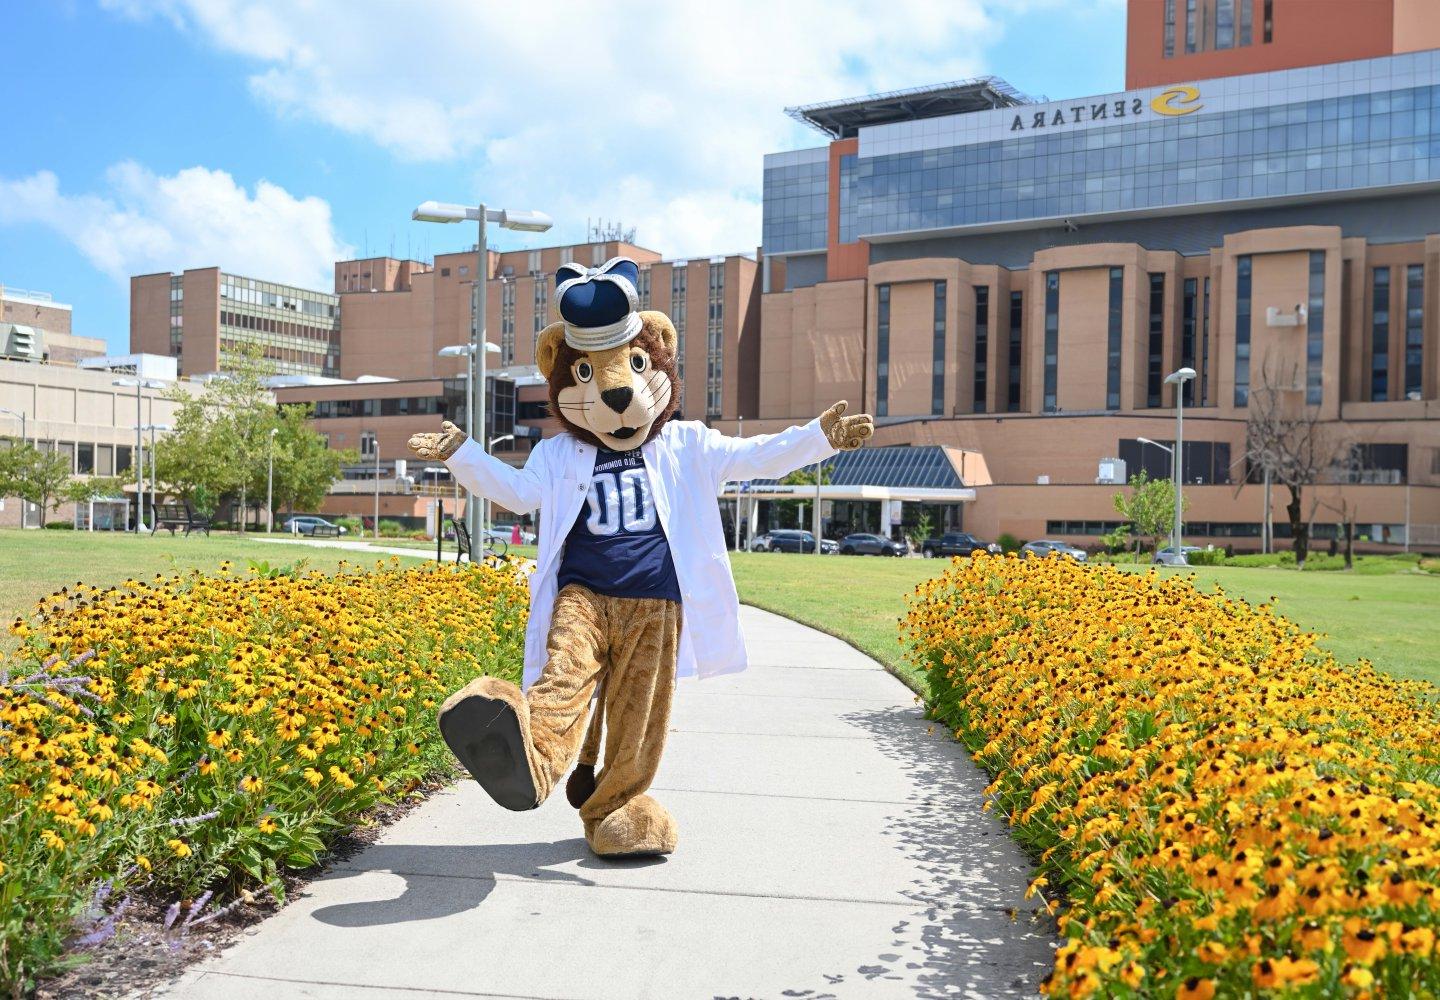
470, 871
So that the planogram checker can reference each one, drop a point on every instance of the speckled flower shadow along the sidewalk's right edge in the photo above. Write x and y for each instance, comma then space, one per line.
973, 933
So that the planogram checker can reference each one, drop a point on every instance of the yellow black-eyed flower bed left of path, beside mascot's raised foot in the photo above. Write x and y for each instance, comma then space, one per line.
208, 731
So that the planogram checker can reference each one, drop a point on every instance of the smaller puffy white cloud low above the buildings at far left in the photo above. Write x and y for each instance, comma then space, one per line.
145, 223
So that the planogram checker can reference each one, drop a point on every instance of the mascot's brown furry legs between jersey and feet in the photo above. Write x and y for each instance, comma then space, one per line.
629, 646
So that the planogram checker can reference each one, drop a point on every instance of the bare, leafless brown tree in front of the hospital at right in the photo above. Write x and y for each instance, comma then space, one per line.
1285, 439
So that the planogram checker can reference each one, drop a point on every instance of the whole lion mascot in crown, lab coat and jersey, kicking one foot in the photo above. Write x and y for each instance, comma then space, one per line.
633, 584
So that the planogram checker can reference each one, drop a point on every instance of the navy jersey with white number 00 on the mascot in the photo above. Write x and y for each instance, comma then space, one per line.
617, 545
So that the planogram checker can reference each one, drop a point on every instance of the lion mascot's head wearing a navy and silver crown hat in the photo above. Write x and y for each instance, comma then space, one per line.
610, 367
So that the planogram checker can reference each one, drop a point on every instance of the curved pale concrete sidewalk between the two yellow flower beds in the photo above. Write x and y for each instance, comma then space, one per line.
830, 847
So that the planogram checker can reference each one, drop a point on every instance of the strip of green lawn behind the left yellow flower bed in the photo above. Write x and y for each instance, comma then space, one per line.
37, 564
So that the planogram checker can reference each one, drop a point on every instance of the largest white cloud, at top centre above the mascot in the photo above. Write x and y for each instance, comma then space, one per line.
653, 113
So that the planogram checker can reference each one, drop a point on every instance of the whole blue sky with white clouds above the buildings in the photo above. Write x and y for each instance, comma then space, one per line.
273, 138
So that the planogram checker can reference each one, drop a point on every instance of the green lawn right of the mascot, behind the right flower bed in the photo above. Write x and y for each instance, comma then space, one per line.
1392, 620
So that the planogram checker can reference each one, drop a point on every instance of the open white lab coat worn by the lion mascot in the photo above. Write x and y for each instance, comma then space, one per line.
688, 462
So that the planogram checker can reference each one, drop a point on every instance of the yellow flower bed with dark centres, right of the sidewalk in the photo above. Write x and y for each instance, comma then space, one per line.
1225, 811
